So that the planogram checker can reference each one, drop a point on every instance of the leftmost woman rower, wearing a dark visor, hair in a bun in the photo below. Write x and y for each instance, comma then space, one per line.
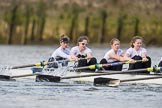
61, 53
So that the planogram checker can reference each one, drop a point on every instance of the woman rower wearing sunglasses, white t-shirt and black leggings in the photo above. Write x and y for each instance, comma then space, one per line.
82, 53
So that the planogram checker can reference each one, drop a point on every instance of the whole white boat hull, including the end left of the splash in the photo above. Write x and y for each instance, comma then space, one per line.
16, 72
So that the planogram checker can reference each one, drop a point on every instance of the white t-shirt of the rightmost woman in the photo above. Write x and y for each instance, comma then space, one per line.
132, 52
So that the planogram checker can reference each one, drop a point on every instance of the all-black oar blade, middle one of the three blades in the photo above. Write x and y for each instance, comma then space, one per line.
47, 78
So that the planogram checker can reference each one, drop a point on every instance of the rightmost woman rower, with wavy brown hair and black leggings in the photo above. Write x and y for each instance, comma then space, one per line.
137, 52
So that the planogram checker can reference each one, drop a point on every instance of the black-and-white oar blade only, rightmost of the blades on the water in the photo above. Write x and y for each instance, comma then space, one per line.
100, 81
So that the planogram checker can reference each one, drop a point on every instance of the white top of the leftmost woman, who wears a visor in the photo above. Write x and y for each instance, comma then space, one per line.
59, 52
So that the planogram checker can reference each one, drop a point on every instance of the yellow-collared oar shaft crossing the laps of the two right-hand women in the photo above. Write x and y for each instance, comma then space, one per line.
98, 66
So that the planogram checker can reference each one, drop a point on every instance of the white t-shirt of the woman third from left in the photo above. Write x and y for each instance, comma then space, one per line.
107, 57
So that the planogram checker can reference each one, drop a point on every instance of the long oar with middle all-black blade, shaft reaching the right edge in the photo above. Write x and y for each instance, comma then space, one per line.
57, 78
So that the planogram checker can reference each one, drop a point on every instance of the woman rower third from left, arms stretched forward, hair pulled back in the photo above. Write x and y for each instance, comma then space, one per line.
115, 54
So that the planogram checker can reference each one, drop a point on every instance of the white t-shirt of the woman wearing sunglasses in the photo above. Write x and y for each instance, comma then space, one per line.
76, 51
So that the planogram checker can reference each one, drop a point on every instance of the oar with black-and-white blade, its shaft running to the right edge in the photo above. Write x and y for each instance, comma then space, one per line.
116, 82
